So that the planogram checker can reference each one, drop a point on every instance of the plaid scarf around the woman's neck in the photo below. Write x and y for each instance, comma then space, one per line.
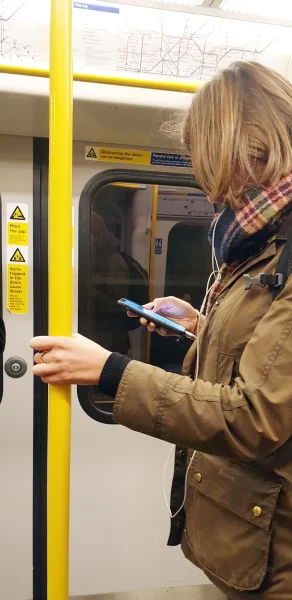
239, 235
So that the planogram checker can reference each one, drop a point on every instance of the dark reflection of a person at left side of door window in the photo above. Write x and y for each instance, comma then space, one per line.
110, 281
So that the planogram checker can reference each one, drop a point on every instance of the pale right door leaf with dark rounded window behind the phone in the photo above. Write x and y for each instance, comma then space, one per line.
118, 517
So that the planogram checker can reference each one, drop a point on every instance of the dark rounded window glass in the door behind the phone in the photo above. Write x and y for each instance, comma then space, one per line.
127, 228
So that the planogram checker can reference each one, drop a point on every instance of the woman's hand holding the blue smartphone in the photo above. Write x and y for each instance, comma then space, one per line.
176, 309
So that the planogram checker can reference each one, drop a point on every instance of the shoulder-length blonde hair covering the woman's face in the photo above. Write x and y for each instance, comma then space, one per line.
238, 131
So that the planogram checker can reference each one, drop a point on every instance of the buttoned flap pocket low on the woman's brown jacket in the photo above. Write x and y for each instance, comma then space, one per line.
229, 513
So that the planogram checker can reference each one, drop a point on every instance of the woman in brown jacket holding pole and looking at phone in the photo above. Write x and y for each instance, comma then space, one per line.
237, 412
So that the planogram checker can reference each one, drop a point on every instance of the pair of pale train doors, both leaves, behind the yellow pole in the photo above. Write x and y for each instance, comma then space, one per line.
119, 524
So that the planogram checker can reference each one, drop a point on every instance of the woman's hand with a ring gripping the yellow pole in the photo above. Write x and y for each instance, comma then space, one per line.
65, 360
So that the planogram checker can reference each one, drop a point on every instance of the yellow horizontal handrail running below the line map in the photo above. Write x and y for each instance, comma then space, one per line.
185, 86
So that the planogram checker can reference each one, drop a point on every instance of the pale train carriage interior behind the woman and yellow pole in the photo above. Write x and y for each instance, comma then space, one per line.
140, 230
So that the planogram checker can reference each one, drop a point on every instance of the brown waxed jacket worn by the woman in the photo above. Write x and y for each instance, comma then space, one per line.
237, 522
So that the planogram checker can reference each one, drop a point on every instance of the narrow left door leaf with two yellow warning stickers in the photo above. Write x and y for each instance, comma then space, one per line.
16, 409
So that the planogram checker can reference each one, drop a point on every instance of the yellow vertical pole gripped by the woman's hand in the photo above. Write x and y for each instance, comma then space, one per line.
60, 292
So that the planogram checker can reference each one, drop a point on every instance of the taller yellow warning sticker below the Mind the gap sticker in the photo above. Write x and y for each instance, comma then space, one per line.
17, 280
